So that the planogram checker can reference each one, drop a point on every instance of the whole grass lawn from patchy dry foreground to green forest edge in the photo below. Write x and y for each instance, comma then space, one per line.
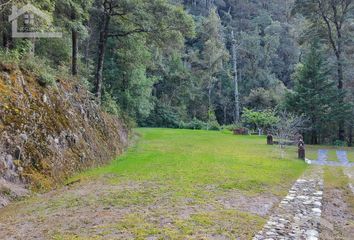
173, 184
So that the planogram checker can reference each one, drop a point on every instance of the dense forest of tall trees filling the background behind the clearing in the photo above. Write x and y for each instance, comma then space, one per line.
201, 64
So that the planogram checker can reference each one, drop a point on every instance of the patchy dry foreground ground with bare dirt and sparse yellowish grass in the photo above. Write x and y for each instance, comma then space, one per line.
102, 209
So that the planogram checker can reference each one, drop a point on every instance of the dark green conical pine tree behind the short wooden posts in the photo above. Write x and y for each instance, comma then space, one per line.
315, 95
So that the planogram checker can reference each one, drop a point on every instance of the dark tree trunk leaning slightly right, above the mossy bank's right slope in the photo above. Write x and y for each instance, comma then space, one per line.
100, 56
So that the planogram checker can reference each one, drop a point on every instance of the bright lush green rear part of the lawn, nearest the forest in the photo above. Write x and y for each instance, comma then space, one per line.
187, 158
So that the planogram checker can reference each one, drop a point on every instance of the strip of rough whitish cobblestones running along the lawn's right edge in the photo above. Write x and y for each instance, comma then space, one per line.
298, 215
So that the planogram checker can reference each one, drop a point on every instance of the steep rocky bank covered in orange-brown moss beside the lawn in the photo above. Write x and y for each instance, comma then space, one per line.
48, 133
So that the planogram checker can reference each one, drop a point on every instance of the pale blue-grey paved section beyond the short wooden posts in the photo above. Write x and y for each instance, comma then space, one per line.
322, 159
